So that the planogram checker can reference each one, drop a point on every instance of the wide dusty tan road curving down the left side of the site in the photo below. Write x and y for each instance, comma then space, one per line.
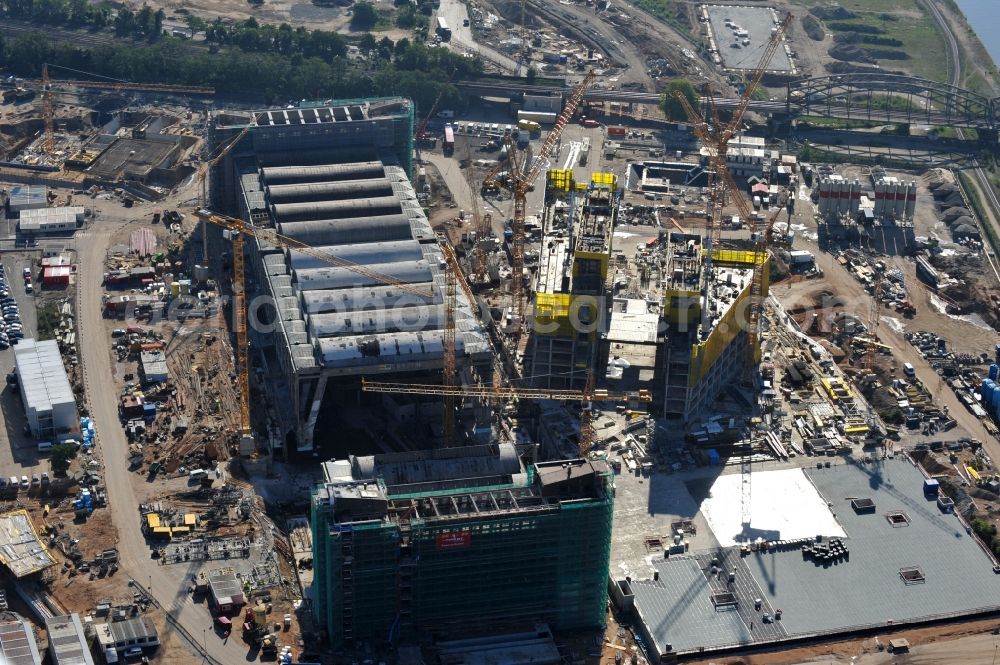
166, 582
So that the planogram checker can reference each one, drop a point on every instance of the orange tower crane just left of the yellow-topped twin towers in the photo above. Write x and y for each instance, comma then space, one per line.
520, 181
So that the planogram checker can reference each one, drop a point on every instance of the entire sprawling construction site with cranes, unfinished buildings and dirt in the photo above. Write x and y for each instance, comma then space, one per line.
352, 377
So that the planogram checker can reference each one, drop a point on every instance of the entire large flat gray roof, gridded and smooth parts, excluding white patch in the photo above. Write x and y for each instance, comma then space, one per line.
866, 589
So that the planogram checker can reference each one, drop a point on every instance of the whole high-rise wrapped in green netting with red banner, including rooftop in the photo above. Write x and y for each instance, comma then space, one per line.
458, 540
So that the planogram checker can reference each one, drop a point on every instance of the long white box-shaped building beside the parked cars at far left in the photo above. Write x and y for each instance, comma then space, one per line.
49, 404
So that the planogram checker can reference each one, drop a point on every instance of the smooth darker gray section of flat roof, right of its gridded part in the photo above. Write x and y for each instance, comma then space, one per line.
868, 589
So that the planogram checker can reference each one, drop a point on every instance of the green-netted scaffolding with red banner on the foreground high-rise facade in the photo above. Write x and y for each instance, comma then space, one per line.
501, 557
